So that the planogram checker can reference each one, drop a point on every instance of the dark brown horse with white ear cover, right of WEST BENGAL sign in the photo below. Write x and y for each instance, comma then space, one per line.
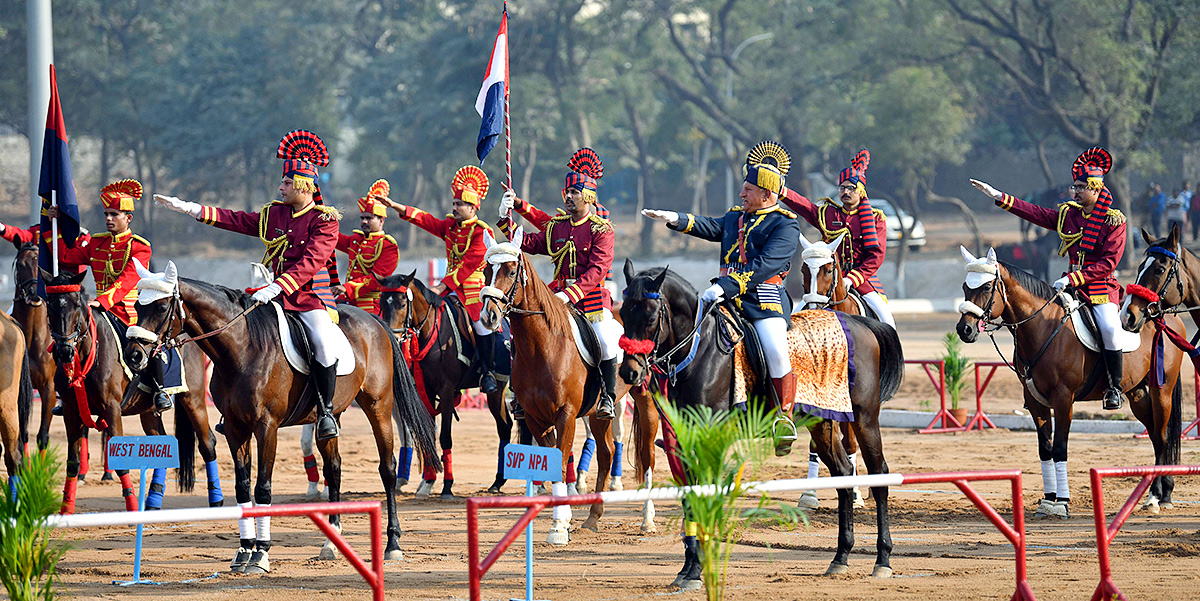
257, 393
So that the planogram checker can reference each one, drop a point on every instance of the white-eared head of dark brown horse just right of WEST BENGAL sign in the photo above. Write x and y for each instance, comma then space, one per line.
160, 314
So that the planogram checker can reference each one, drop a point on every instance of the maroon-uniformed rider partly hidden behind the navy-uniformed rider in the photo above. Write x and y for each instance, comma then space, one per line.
862, 251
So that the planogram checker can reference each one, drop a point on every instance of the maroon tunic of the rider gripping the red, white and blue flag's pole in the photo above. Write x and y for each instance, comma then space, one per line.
583, 254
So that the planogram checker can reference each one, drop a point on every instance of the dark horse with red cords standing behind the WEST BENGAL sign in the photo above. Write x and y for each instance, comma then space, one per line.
87, 347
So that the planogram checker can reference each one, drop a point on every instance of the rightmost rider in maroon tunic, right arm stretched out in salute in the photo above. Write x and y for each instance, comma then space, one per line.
1093, 237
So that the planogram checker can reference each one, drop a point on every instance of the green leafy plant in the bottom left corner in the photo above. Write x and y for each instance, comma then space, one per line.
28, 554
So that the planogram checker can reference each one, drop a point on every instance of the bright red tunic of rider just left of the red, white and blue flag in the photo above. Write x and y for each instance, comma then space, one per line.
465, 254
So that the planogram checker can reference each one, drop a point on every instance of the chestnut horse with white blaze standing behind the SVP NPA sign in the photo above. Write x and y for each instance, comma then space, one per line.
549, 375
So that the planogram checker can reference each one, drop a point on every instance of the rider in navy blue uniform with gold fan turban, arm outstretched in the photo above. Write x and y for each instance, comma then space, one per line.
758, 243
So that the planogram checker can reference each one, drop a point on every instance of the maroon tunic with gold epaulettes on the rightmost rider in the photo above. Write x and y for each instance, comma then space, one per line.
1089, 272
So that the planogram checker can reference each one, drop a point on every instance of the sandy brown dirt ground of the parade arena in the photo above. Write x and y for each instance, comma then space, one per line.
945, 549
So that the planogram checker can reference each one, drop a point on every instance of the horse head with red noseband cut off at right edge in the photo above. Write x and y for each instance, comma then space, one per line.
1162, 280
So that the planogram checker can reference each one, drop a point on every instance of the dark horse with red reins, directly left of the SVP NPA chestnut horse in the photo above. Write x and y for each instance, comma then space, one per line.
437, 333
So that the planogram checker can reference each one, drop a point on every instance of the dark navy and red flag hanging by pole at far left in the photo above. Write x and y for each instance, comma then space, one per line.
57, 178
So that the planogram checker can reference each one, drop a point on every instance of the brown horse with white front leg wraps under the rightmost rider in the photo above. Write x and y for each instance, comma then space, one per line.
1057, 370
